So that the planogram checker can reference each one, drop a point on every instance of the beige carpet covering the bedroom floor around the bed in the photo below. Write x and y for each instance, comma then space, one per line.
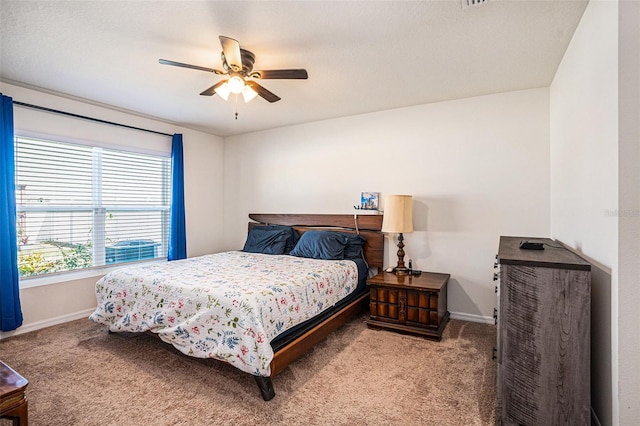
80, 375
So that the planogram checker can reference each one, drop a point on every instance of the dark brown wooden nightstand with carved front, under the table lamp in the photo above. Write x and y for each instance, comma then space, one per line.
409, 304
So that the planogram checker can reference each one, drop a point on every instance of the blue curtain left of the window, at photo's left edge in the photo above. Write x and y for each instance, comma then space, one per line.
10, 311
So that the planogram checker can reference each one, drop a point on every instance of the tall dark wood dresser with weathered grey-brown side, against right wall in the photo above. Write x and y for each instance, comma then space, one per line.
543, 335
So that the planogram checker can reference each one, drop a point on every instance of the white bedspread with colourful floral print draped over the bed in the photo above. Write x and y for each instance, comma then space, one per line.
226, 306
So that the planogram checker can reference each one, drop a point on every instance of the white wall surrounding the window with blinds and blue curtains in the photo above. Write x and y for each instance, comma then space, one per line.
51, 300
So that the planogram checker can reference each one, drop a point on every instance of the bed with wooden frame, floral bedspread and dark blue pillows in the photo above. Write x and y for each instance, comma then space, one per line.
297, 279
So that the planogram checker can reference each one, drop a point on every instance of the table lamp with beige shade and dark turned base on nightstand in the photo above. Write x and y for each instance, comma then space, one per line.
398, 219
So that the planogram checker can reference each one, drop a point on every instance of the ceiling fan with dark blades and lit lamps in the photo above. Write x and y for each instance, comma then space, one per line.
238, 65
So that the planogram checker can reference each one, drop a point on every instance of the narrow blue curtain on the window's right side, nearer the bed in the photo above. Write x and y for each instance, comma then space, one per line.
177, 232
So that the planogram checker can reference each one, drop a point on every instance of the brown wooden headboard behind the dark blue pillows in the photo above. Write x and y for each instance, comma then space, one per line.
369, 226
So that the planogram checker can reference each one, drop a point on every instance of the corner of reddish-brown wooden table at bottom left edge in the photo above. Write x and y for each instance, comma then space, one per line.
13, 403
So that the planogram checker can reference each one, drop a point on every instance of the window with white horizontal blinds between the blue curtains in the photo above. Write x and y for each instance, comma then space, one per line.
81, 206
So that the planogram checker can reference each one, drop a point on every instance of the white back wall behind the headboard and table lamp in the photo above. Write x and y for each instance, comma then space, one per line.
477, 168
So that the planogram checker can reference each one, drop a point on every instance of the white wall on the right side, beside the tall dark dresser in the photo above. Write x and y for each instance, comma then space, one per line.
594, 191
